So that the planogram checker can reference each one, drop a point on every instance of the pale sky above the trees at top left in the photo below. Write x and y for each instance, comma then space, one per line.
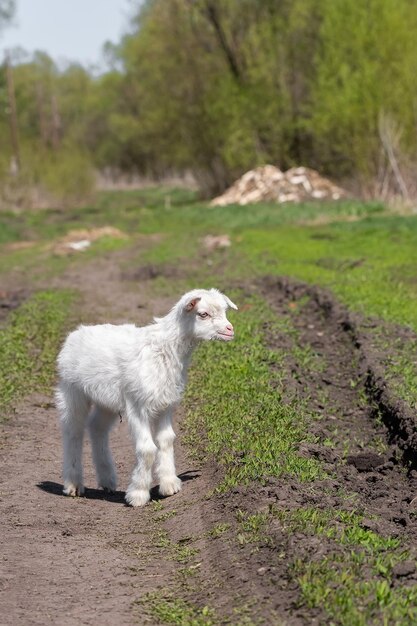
68, 30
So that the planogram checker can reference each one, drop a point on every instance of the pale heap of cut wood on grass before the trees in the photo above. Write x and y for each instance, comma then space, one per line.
268, 183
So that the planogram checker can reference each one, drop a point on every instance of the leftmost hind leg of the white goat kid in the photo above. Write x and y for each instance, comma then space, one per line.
73, 406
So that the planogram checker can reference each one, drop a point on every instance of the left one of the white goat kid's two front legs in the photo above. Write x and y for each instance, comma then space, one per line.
138, 492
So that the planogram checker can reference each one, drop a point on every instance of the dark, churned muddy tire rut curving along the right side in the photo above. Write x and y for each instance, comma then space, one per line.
364, 432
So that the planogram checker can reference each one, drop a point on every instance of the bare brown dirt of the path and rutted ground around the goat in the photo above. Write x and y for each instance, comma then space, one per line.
92, 560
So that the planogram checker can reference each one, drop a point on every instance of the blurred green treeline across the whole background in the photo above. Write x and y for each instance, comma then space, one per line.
212, 88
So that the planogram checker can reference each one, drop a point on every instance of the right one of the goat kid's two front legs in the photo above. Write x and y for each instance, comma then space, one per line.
169, 483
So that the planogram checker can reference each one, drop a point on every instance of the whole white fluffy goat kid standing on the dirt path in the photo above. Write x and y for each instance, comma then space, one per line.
138, 372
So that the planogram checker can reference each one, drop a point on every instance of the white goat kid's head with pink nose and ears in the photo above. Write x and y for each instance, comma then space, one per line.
205, 312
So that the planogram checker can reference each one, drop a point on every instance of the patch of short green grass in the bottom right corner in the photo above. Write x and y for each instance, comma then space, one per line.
353, 583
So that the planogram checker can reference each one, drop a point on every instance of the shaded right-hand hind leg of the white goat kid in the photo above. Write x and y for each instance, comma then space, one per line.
100, 424
